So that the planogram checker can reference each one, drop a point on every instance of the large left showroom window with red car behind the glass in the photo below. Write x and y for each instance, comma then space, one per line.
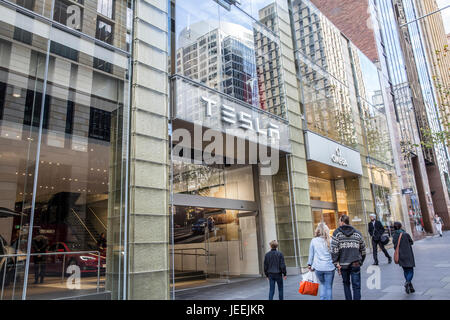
61, 156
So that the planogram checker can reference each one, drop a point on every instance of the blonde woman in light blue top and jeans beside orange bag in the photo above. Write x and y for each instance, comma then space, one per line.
320, 261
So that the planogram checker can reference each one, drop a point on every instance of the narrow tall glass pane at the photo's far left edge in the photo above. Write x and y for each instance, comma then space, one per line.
21, 88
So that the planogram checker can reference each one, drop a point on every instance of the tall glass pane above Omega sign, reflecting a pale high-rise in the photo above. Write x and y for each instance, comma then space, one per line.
326, 72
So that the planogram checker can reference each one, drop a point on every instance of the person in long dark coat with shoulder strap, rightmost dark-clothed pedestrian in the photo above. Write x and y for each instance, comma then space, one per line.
404, 254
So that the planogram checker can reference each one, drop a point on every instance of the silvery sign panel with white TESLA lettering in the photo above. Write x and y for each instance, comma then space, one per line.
209, 108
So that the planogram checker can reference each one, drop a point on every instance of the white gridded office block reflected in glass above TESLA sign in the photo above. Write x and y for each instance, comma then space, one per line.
223, 59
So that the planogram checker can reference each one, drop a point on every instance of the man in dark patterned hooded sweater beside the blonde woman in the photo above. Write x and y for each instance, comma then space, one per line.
348, 251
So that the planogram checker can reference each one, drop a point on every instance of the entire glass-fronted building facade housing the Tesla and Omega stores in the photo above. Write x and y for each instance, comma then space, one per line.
121, 126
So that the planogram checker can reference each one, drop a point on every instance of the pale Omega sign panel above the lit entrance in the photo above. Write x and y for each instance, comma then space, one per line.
333, 154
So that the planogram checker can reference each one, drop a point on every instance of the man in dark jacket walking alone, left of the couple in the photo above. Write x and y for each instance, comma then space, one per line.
275, 269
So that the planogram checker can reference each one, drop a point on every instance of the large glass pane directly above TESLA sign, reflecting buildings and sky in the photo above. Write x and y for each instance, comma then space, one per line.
229, 51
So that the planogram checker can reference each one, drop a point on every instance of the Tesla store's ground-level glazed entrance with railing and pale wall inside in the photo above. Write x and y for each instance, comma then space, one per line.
213, 245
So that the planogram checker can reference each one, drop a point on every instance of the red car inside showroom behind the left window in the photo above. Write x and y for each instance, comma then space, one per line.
88, 262
